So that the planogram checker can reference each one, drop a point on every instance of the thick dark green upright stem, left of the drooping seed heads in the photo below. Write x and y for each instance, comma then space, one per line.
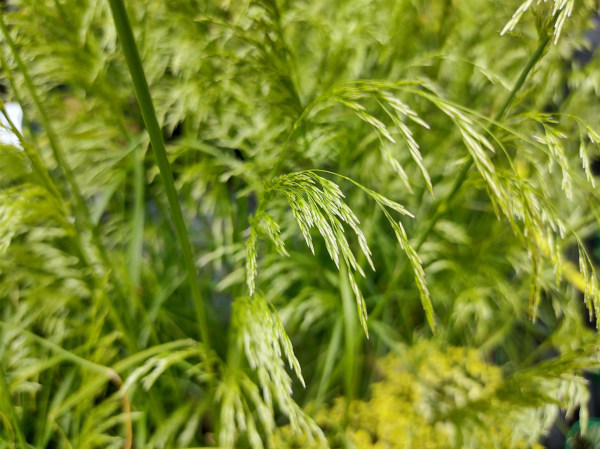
142, 93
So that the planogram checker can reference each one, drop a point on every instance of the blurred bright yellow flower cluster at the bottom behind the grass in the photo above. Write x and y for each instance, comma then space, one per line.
420, 400
